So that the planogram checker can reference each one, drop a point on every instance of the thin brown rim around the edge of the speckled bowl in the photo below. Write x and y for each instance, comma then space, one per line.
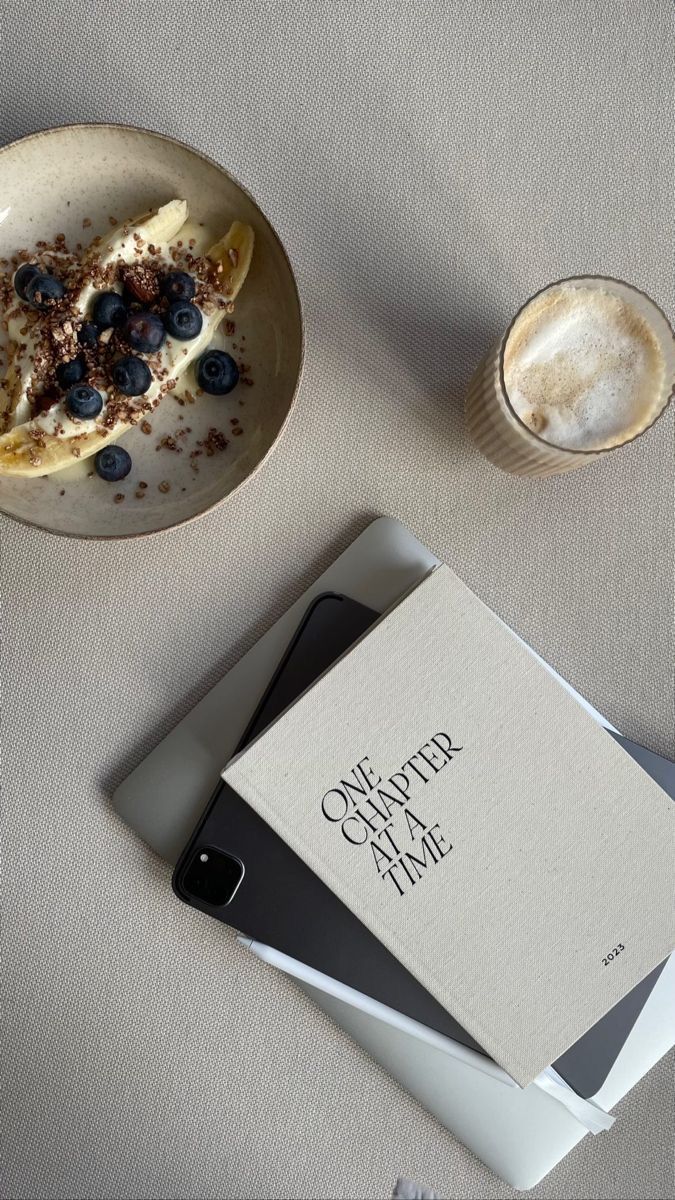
224, 171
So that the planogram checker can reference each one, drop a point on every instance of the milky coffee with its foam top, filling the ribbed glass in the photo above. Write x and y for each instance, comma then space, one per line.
586, 367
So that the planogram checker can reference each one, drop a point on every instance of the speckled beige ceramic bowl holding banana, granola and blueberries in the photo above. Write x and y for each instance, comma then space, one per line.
53, 183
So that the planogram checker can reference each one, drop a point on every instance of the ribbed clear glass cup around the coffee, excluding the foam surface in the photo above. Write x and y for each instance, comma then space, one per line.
505, 440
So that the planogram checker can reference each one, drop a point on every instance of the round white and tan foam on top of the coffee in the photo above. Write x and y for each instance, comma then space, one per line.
583, 369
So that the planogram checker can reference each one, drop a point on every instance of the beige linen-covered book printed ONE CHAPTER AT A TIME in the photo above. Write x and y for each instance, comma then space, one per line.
464, 806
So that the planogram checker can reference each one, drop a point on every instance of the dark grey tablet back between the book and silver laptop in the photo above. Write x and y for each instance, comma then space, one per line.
283, 903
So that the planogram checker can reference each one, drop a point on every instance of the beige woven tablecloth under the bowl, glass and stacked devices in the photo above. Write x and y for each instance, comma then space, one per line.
428, 167
